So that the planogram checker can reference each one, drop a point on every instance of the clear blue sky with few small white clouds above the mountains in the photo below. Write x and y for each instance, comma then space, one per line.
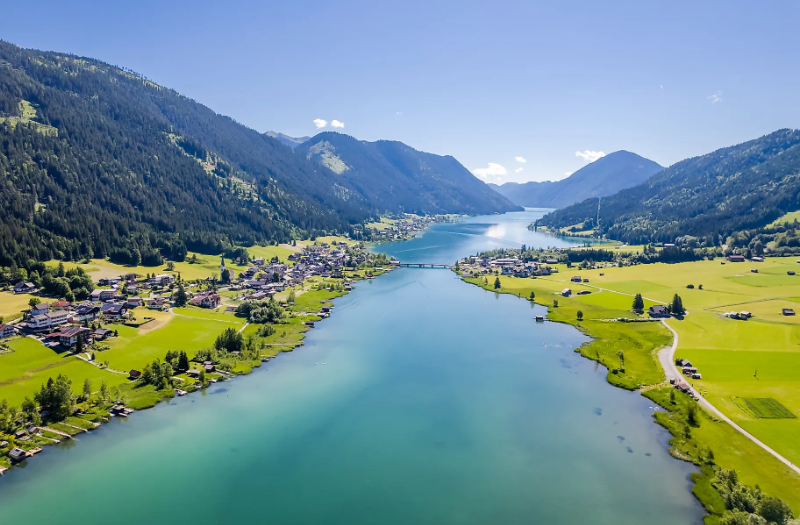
486, 82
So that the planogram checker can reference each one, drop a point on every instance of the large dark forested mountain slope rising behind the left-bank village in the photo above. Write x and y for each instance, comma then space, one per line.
96, 160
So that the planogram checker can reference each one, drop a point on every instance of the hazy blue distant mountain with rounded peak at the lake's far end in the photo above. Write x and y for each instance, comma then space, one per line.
605, 176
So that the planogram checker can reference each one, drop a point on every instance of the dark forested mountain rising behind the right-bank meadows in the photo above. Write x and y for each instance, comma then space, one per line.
732, 189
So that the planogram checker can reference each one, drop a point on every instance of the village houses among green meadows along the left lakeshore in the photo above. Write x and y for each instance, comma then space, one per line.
300, 286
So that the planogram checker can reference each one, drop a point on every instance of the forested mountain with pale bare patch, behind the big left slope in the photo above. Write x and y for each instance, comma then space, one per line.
402, 178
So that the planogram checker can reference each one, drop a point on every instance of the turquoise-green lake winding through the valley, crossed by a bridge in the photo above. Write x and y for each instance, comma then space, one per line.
438, 403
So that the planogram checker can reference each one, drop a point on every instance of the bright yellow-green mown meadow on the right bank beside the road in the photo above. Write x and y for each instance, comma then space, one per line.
756, 359
